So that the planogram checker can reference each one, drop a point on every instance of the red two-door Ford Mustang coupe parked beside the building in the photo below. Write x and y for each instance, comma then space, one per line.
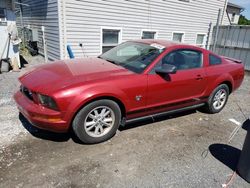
93, 96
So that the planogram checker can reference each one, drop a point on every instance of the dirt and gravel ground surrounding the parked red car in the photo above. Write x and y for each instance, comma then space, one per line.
185, 150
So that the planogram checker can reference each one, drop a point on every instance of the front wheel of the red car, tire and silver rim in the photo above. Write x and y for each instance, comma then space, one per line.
97, 121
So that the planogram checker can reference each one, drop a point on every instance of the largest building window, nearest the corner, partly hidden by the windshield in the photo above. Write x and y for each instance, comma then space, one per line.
110, 38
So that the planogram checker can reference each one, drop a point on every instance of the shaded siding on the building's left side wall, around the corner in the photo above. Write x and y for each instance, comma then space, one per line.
43, 13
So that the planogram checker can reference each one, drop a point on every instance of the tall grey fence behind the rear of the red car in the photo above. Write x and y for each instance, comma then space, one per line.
234, 41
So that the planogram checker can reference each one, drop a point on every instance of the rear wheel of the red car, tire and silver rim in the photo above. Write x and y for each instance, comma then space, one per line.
217, 100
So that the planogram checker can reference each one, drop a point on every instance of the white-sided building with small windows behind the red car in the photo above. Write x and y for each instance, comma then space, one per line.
101, 24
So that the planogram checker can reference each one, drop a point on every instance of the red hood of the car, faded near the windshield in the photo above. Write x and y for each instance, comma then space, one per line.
60, 74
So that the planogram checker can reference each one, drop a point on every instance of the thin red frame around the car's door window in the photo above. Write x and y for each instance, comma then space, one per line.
152, 71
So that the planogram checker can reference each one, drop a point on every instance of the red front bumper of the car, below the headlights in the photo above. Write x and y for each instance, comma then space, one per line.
40, 116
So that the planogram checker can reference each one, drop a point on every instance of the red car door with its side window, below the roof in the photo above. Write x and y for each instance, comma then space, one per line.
184, 88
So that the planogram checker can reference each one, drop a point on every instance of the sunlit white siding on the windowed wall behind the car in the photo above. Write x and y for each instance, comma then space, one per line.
84, 18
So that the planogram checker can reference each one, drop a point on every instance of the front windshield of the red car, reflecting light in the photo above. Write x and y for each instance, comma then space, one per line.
133, 56
